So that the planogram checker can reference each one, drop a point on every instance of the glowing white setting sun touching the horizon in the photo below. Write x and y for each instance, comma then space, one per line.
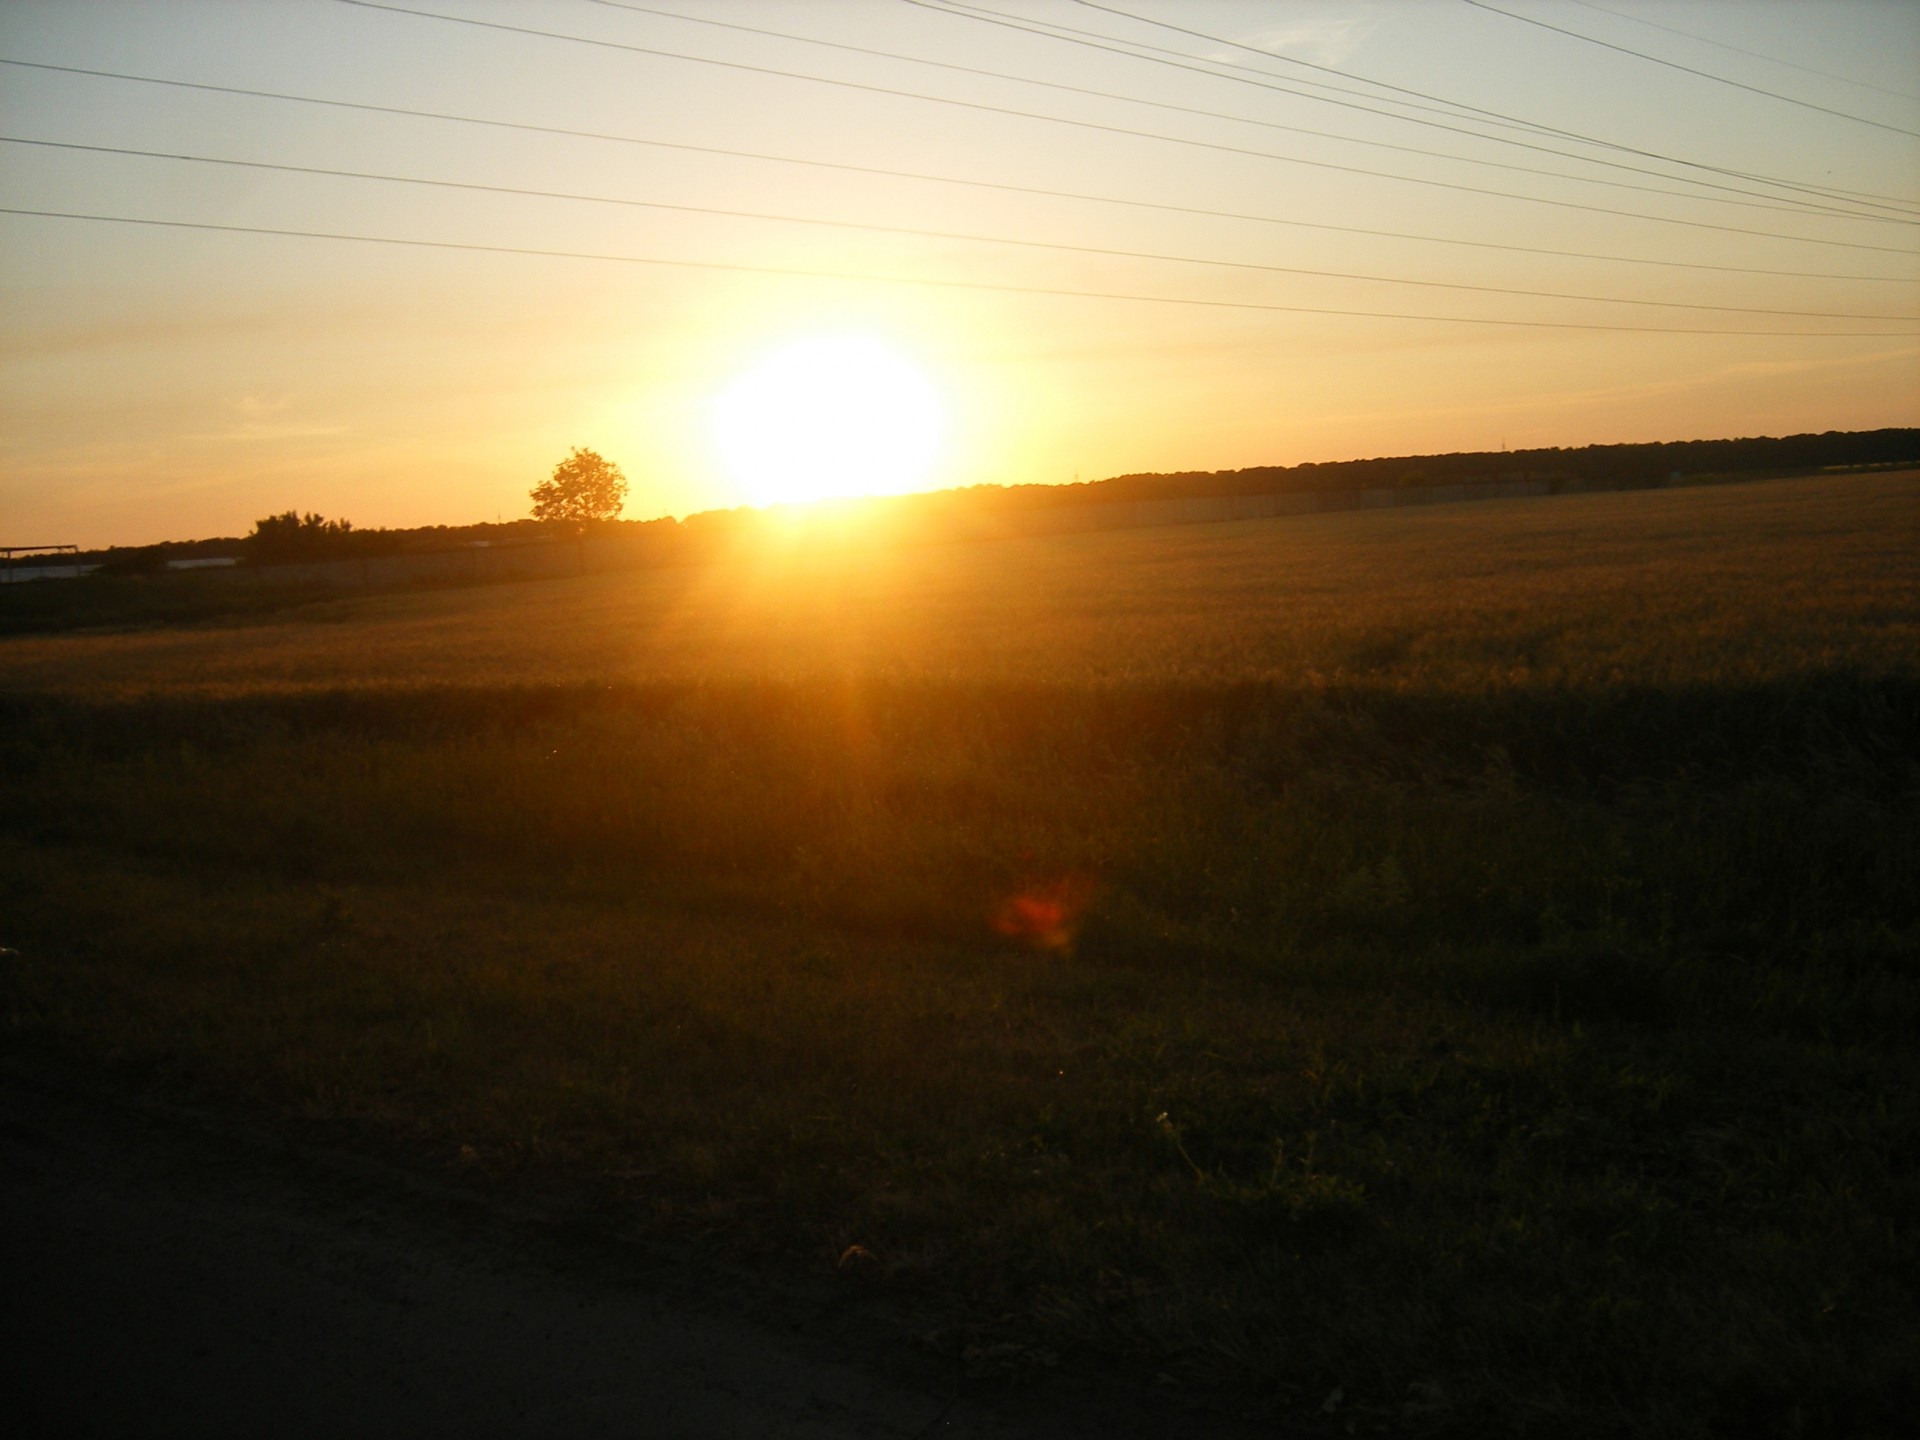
830, 416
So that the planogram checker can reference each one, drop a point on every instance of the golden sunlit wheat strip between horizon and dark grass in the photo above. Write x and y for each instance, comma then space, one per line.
1712, 585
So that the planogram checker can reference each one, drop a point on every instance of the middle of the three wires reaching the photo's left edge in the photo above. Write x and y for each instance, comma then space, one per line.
949, 235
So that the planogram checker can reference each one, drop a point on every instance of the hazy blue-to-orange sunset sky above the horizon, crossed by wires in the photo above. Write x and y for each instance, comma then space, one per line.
1086, 239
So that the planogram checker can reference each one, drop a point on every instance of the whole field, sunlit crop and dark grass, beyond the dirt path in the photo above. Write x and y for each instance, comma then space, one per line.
1443, 971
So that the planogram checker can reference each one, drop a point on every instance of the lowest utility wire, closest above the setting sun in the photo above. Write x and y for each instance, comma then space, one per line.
944, 285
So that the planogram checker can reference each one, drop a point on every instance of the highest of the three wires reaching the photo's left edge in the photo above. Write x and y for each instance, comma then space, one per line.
948, 180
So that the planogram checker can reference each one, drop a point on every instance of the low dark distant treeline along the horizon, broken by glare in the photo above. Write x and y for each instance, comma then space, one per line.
295, 539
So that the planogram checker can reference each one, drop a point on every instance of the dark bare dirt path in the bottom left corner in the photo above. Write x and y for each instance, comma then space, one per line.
166, 1274
